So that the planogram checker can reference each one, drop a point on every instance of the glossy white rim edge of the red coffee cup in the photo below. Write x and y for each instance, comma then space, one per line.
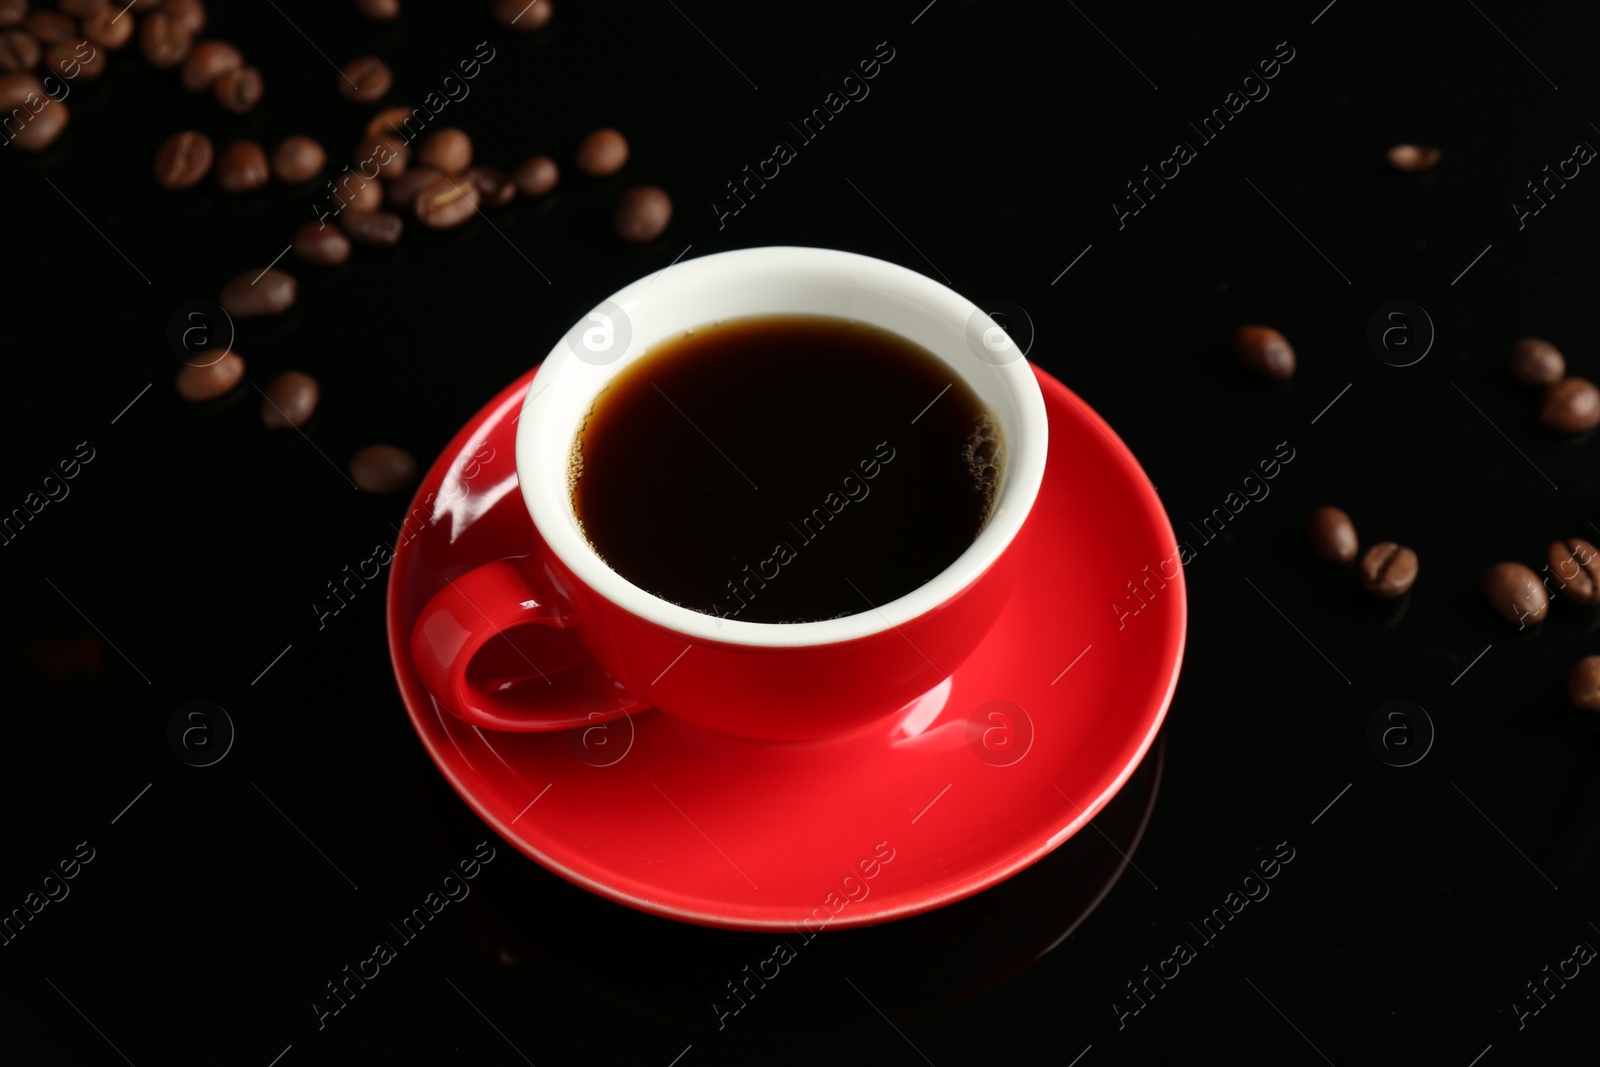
545, 479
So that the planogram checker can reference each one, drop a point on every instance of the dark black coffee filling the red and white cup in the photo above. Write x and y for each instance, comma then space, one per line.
785, 470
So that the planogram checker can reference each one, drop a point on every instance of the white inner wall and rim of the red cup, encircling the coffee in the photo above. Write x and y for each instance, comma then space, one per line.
774, 282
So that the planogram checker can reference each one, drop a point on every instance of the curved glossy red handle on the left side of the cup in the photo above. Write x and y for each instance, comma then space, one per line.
478, 609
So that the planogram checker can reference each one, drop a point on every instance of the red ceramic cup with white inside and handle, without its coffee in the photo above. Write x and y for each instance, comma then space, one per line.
775, 682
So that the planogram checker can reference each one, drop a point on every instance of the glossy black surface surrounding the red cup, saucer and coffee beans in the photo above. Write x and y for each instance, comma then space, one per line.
988, 154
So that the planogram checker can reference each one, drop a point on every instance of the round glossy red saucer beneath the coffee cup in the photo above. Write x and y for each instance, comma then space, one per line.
983, 777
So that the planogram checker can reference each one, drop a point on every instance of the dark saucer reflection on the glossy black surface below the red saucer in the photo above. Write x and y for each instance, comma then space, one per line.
703, 978
